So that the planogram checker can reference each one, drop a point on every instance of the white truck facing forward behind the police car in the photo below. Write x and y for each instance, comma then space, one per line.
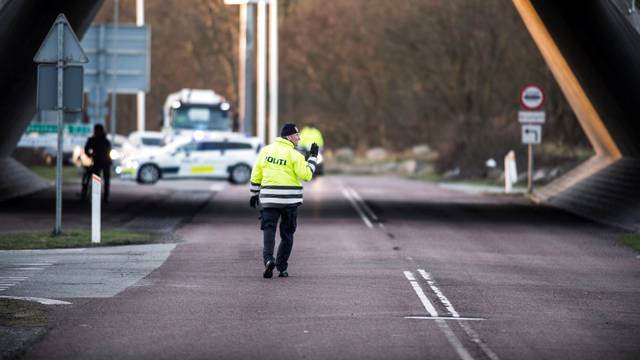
191, 110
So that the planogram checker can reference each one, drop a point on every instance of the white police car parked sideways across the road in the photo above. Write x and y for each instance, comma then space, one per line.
227, 156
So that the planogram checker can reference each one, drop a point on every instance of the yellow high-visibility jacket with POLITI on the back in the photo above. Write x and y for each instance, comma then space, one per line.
277, 173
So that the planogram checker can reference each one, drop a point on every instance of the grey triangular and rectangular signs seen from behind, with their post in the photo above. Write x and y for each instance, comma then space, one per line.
60, 47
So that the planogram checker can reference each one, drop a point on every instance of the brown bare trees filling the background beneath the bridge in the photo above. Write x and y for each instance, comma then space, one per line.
370, 72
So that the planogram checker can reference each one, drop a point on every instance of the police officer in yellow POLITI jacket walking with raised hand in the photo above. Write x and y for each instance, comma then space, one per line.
275, 185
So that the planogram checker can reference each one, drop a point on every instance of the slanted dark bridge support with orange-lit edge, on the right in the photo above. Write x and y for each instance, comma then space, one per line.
593, 51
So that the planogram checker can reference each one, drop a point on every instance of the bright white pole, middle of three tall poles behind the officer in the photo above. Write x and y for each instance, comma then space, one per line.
262, 69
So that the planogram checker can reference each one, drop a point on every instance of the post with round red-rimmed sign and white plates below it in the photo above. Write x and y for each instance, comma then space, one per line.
532, 118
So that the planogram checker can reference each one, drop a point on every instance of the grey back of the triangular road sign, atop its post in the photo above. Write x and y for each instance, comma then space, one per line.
72, 51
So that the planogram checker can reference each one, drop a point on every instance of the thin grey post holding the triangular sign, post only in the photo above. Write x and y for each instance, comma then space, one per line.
57, 230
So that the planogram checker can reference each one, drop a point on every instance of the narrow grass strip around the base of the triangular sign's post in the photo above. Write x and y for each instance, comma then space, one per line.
70, 239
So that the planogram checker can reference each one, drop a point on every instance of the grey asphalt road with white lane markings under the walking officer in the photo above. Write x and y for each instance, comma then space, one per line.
382, 268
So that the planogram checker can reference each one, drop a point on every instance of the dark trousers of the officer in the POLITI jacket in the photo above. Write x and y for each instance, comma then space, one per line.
288, 225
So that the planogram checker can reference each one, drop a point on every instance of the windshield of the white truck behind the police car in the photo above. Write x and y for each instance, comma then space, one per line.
191, 117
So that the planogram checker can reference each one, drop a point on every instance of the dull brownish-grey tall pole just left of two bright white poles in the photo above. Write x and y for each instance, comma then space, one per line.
249, 101
